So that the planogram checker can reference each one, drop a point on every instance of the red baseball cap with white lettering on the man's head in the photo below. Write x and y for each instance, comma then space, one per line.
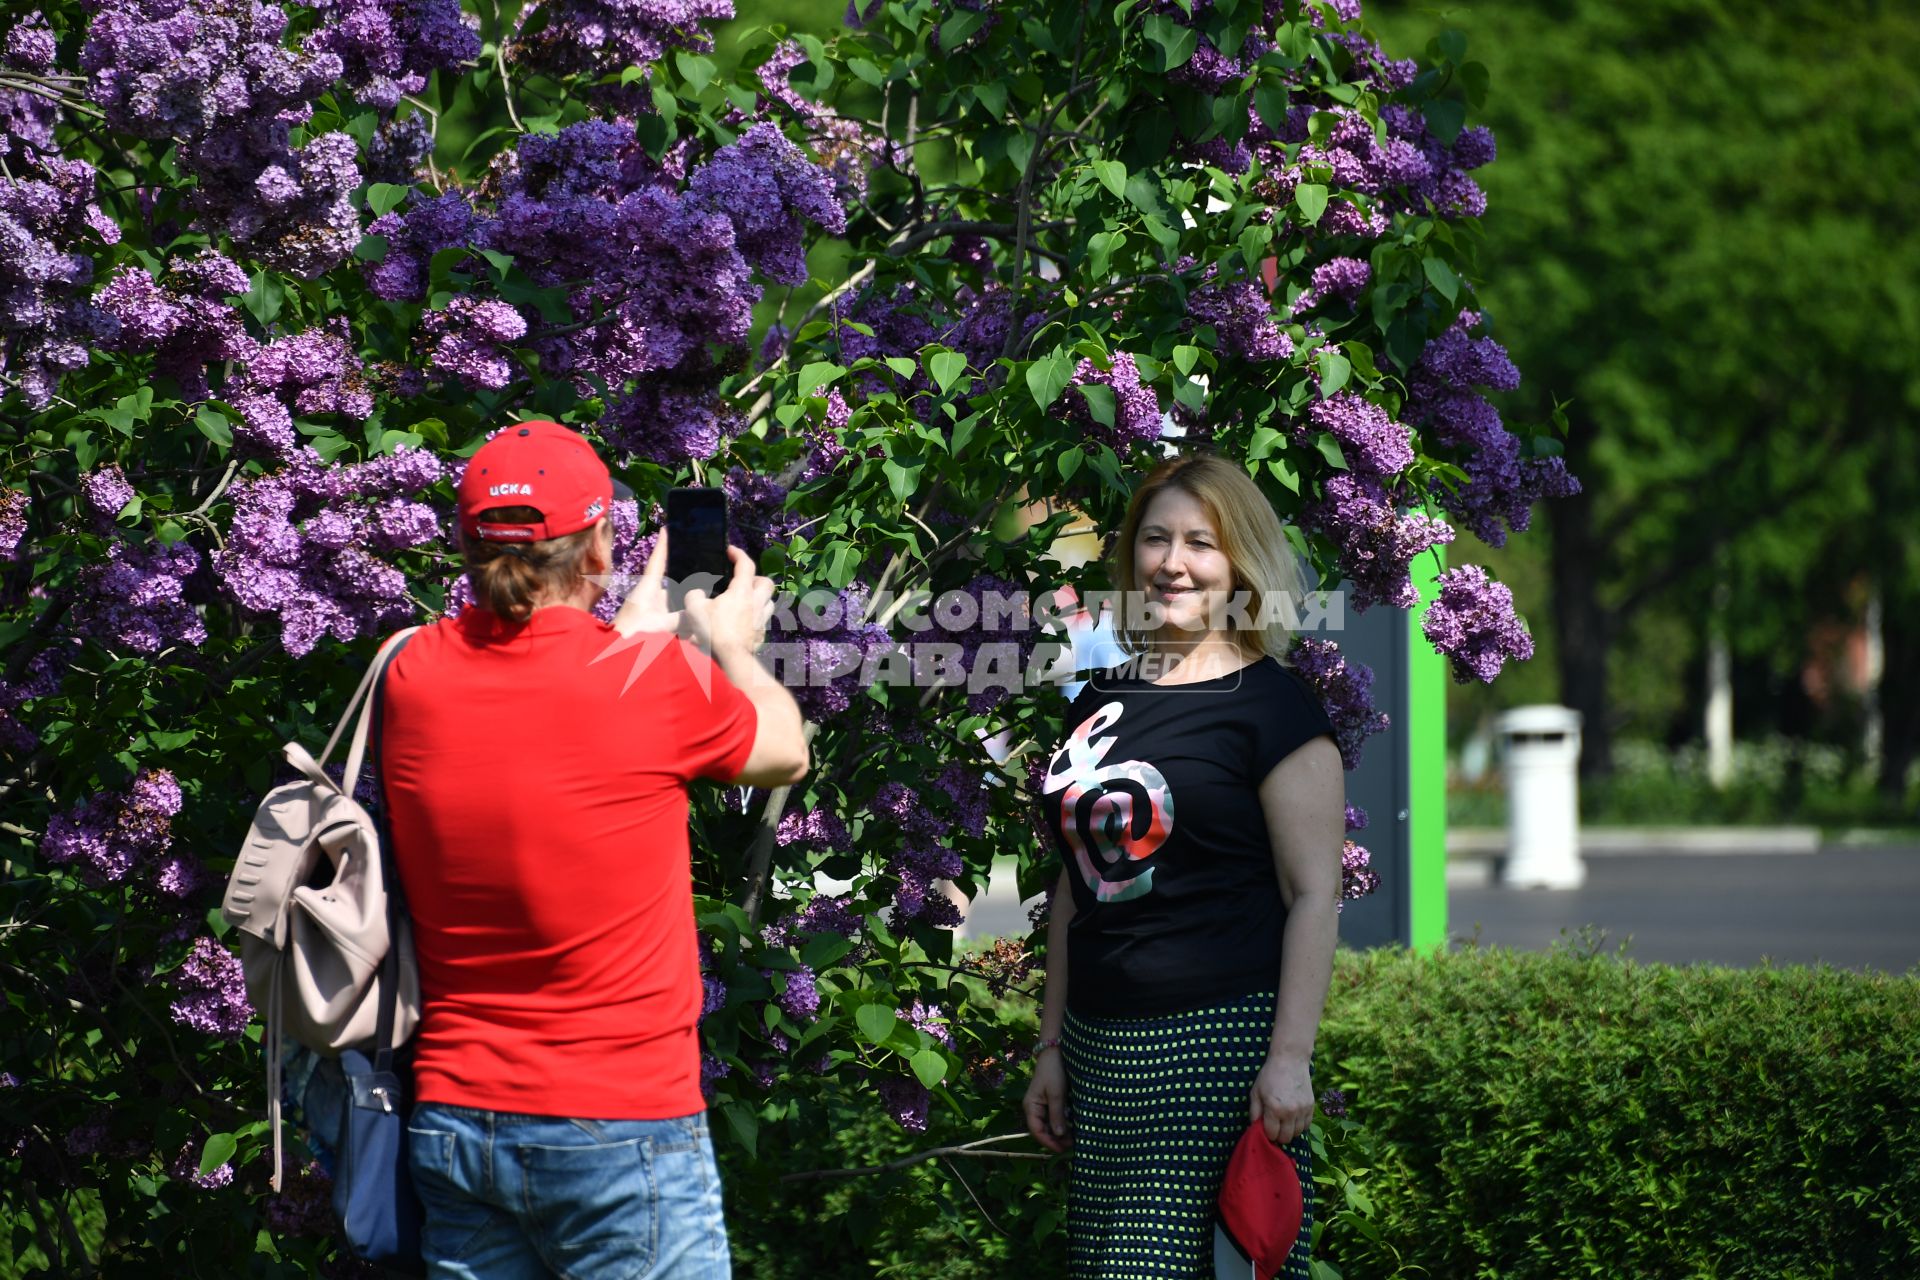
539, 465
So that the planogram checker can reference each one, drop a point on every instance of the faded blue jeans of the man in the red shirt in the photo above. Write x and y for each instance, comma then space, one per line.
535, 1197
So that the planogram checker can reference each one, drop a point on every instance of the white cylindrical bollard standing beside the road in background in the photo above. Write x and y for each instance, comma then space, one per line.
1543, 753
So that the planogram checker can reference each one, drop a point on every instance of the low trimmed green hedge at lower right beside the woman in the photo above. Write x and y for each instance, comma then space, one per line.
1575, 1114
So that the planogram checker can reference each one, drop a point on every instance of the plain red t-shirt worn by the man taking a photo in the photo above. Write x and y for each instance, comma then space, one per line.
540, 828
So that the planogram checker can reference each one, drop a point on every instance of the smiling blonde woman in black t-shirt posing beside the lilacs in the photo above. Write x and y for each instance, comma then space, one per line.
1199, 807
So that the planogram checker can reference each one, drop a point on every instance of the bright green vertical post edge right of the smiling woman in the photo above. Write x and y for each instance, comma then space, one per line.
1426, 778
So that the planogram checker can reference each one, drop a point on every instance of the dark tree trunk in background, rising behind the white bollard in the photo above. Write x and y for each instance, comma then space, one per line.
1583, 628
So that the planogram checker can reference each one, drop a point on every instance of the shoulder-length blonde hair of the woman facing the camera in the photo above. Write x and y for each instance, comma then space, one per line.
1251, 536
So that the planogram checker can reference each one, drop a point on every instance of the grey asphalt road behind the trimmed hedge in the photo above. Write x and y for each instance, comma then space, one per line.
1858, 909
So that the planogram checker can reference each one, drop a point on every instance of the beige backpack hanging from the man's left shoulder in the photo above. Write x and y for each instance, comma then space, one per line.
308, 897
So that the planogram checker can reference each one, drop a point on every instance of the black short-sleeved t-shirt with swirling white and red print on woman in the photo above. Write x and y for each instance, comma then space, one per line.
1155, 807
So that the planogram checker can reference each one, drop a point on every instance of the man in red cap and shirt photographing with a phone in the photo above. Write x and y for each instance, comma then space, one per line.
537, 767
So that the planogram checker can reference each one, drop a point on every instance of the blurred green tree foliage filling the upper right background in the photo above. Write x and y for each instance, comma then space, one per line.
1704, 245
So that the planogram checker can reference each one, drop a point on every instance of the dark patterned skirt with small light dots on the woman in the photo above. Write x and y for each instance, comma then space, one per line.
1159, 1104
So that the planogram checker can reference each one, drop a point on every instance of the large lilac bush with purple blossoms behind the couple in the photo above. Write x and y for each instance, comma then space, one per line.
260, 306
